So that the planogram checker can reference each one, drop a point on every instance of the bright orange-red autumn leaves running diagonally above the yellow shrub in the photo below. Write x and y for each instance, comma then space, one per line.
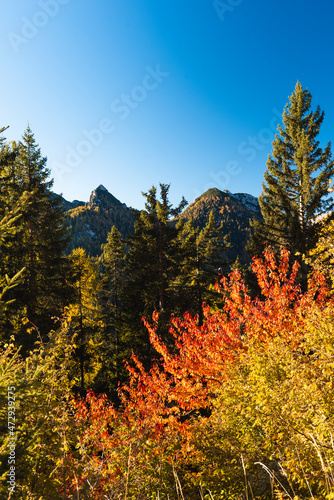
154, 425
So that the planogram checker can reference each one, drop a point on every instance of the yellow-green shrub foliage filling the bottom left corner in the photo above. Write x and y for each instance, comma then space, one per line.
39, 405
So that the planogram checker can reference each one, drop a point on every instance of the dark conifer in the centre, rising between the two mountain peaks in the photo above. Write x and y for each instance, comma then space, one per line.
150, 266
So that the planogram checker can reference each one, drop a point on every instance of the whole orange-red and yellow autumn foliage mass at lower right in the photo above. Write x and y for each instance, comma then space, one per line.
260, 368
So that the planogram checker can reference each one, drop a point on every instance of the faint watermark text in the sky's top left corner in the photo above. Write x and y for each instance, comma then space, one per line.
30, 27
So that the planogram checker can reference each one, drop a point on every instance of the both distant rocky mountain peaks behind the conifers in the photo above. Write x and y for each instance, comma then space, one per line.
90, 222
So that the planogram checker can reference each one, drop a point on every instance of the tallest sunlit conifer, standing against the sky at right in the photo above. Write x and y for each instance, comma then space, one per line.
295, 191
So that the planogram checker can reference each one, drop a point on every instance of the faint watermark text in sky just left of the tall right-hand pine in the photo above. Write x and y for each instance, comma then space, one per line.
248, 148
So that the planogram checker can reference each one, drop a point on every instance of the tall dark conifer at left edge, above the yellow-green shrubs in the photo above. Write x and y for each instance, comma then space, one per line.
41, 236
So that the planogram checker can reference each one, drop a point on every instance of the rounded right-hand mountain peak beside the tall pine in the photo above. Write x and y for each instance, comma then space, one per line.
234, 210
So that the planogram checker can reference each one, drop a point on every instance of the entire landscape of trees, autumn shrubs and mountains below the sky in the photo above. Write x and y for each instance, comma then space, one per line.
174, 352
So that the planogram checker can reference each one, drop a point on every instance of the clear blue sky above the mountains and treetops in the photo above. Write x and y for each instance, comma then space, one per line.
130, 93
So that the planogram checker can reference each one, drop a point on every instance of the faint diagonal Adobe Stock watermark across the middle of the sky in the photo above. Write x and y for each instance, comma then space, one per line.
121, 108
